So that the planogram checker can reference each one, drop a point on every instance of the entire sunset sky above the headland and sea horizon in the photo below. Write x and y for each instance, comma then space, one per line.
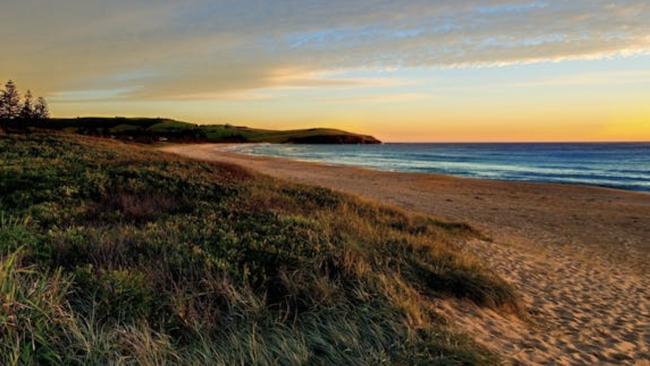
411, 70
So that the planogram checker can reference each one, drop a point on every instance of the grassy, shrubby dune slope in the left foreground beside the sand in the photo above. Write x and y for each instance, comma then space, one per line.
116, 254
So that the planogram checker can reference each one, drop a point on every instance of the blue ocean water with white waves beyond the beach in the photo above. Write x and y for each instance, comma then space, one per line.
615, 165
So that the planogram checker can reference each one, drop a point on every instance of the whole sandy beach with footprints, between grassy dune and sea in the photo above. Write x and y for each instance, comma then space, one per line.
579, 255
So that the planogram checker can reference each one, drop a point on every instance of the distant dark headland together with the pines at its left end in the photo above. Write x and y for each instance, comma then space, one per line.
18, 113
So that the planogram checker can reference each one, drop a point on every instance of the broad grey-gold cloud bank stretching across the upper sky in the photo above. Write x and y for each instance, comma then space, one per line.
174, 49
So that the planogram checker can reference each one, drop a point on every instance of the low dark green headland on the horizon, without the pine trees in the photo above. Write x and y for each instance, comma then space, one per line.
156, 129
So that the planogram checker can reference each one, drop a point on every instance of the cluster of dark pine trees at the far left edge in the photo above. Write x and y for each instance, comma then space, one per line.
13, 107
